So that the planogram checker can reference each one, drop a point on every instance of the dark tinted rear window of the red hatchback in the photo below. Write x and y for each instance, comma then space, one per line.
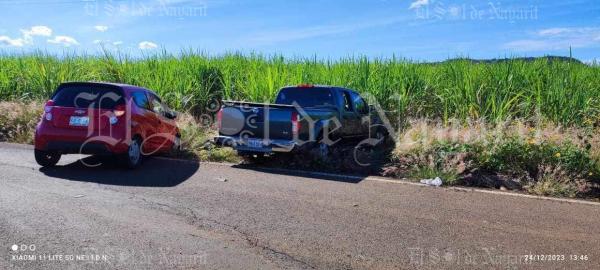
86, 96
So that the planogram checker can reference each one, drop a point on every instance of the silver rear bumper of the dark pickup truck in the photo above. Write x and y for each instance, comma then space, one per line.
267, 146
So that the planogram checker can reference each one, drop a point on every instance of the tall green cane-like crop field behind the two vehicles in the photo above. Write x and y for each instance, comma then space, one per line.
562, 92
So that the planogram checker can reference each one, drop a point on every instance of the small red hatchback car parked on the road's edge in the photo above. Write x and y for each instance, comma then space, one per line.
104, 118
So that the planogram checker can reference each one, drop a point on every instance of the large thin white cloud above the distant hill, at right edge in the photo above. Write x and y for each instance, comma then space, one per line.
558, 39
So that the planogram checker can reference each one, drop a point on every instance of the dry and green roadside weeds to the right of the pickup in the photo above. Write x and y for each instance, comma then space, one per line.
545, 160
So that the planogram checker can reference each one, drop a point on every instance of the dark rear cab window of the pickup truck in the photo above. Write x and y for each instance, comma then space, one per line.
306, 97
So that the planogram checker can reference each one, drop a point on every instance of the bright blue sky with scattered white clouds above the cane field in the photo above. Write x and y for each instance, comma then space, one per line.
422, 30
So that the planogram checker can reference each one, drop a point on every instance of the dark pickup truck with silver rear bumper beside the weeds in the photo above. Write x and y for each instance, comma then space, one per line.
303, 117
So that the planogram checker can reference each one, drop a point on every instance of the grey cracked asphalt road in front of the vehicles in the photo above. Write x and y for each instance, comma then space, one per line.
185, 215
